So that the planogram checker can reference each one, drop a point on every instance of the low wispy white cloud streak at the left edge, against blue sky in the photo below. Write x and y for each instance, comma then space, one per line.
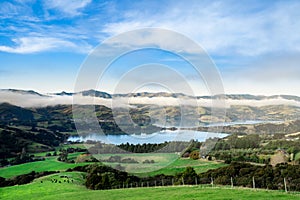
37, 44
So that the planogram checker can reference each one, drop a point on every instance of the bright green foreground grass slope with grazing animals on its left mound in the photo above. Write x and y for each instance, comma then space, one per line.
46, 190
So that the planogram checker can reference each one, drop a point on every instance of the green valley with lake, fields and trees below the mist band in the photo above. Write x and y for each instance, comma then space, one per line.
40, 144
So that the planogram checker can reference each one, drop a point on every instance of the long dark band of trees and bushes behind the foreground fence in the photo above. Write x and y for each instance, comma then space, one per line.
101, 177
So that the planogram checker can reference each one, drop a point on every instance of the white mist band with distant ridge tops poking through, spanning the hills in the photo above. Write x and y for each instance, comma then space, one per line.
31, 98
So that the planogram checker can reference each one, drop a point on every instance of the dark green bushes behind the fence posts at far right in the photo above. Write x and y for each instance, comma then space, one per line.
266, 177
